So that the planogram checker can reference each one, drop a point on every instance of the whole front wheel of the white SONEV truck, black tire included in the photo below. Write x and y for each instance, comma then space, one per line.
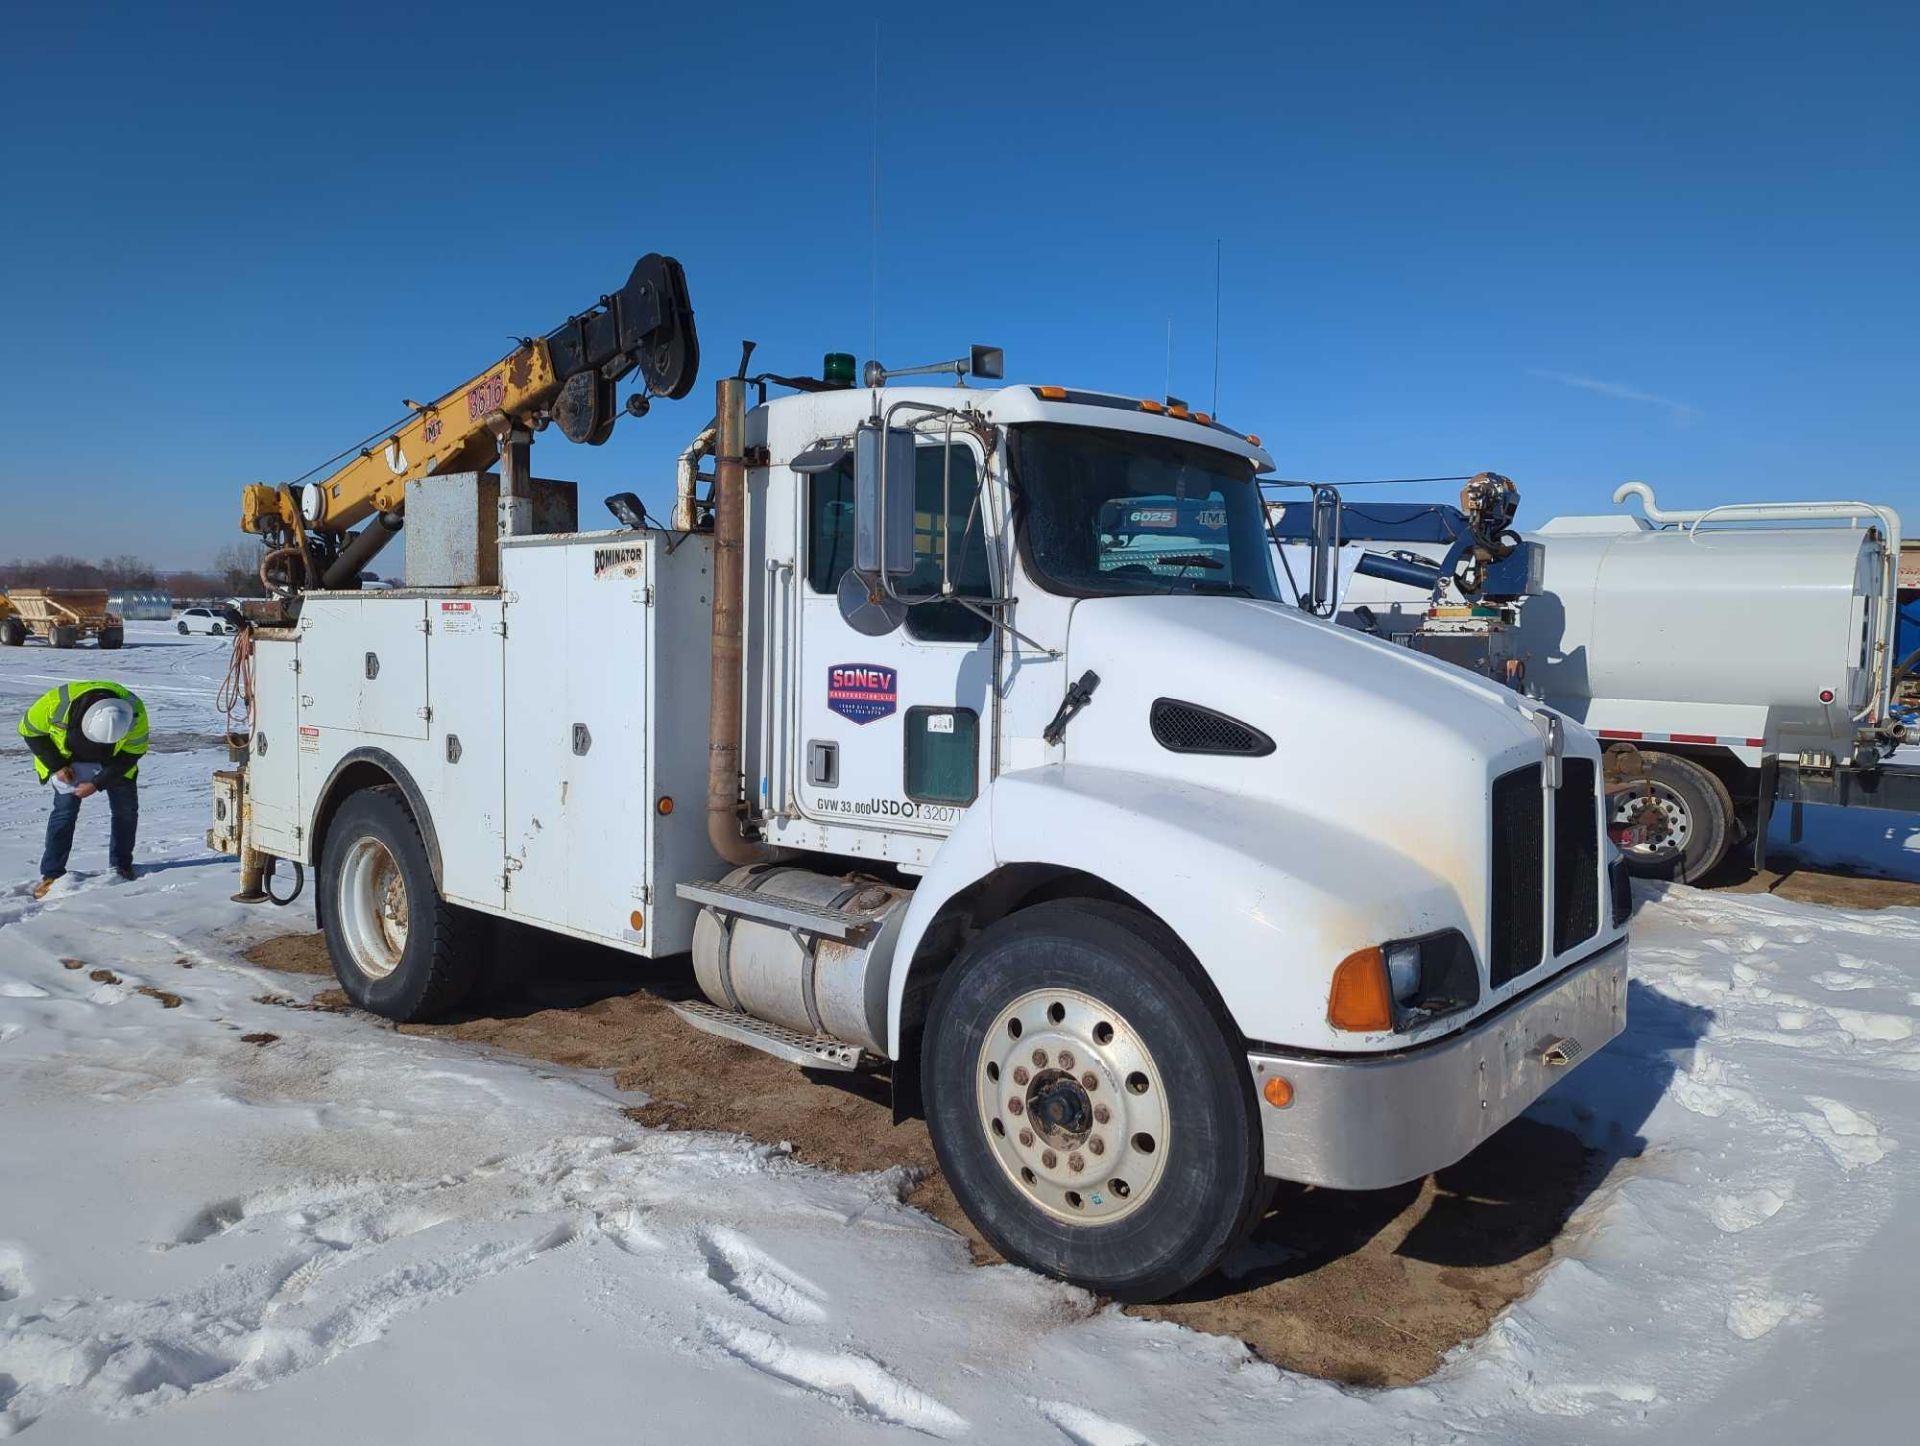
1086, 1103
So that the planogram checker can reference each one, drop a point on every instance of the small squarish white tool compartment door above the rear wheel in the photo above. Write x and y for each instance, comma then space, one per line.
364, 665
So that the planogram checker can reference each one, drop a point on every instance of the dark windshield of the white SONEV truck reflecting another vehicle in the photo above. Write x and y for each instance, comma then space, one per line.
1107, 514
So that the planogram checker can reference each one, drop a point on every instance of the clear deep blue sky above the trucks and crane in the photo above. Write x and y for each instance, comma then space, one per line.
1570, 243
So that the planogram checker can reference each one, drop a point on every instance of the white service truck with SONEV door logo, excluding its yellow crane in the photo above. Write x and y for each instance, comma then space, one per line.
963, 735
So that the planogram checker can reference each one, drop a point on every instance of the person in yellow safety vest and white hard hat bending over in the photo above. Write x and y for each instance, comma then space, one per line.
87, 738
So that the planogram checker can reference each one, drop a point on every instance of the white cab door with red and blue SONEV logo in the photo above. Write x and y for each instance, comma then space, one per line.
892, 733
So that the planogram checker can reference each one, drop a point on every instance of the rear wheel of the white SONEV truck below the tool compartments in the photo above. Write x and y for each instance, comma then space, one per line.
396, 946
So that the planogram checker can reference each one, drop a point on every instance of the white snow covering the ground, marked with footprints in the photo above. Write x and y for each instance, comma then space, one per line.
345, 1234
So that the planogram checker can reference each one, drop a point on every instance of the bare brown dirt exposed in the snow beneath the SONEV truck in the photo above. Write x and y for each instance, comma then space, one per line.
1358, 1288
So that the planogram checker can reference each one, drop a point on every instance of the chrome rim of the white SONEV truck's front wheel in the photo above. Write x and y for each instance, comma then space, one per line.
1072, 1107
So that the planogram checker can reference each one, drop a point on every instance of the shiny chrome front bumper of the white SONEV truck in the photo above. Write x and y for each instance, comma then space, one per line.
1368, 1122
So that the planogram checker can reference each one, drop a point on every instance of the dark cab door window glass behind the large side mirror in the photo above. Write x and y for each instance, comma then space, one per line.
830, 542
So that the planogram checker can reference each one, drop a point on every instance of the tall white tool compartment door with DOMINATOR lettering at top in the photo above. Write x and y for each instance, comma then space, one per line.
577, 744
